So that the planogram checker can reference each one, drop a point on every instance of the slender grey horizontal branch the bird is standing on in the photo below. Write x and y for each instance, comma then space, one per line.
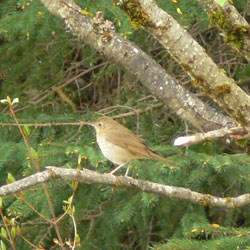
91, 177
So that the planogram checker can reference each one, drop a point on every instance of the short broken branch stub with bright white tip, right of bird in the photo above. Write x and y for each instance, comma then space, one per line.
236, 132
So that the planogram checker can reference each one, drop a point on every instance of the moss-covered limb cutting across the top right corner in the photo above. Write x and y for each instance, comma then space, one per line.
235, 29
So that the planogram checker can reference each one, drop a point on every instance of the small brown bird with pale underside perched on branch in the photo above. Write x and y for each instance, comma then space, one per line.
119, 144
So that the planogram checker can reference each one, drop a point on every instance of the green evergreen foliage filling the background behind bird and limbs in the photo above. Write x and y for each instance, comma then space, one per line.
59, 79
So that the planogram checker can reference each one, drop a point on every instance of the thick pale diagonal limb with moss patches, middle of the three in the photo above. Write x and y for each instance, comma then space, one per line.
191, 56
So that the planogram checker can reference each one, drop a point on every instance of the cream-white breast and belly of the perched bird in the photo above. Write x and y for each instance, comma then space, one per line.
114, 153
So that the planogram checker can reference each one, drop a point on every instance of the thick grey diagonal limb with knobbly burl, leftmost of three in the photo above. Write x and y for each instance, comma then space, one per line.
100, 34
